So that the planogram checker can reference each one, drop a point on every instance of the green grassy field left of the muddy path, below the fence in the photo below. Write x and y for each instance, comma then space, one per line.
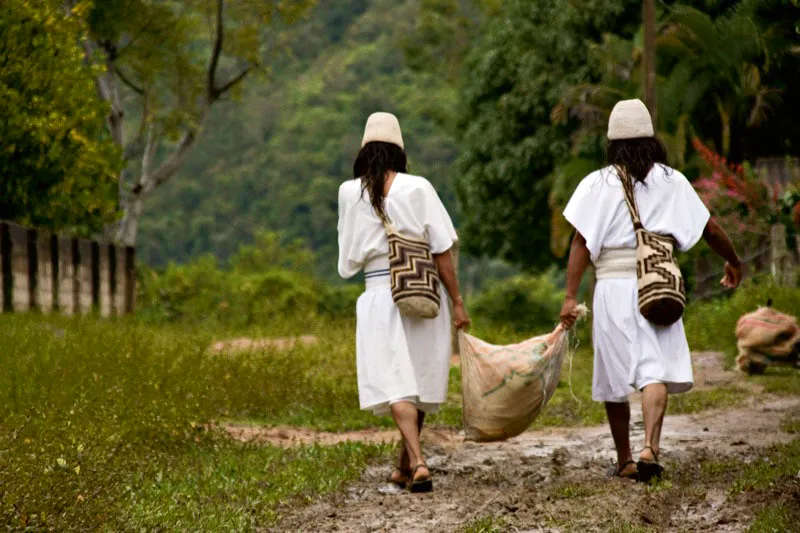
103, 427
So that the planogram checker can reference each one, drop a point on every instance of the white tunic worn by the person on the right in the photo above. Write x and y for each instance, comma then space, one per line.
630, 352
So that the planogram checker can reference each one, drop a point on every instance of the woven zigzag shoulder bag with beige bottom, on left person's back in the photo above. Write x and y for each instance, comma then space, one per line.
415, 277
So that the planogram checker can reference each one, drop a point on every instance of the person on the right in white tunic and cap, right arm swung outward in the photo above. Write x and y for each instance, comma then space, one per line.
631, 353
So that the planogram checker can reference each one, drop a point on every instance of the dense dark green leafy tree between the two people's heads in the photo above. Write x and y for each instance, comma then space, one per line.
514, 76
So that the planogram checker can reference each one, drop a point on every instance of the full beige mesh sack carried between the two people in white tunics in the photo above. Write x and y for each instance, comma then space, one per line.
504, 388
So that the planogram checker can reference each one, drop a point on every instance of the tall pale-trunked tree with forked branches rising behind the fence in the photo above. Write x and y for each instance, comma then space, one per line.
168, 64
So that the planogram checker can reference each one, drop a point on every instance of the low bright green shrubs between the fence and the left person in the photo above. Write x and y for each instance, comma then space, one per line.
266, 282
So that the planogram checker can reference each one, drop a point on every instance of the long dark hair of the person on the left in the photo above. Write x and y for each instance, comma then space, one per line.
372, 164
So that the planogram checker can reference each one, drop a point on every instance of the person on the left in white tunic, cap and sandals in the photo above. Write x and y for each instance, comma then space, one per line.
402, 363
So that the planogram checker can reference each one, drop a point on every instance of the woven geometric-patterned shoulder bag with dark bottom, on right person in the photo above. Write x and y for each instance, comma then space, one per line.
662, 293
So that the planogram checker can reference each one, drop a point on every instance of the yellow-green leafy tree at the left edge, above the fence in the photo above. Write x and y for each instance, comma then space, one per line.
58, 167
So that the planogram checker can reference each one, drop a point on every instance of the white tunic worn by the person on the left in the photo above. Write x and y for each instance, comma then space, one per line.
397, 358
